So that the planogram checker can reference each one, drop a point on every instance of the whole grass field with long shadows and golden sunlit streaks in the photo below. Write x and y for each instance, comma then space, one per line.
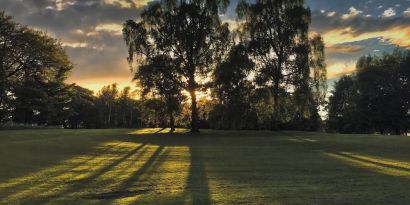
151, 167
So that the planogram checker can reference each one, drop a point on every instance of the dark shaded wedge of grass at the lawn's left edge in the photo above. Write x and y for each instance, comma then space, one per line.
62, 145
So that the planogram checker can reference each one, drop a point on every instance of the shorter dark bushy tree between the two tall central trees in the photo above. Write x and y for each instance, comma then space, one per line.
232, 89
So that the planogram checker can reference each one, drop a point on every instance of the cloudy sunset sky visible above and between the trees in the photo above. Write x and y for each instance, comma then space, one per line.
90, 31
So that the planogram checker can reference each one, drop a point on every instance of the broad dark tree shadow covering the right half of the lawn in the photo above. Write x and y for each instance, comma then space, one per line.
269, 168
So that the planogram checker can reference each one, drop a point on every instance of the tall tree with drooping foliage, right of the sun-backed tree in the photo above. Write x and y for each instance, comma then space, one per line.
287, 61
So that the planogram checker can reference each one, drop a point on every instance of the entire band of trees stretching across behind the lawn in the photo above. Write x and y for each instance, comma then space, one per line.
194, 70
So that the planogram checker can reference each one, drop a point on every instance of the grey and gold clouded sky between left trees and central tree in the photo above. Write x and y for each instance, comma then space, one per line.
90, 31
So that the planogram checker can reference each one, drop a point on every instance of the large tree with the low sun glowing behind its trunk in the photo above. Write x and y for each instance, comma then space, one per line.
189, 33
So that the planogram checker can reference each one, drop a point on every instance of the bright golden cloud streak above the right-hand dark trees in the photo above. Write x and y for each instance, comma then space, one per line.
395, 35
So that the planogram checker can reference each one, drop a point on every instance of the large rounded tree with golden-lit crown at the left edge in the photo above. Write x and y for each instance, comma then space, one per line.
31, 60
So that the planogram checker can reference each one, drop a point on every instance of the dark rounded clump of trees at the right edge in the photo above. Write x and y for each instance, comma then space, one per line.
375, 99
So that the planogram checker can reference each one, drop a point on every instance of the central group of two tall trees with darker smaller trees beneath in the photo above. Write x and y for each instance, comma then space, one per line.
266, 74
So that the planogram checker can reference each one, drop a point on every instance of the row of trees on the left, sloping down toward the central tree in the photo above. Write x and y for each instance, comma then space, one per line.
33, 68
